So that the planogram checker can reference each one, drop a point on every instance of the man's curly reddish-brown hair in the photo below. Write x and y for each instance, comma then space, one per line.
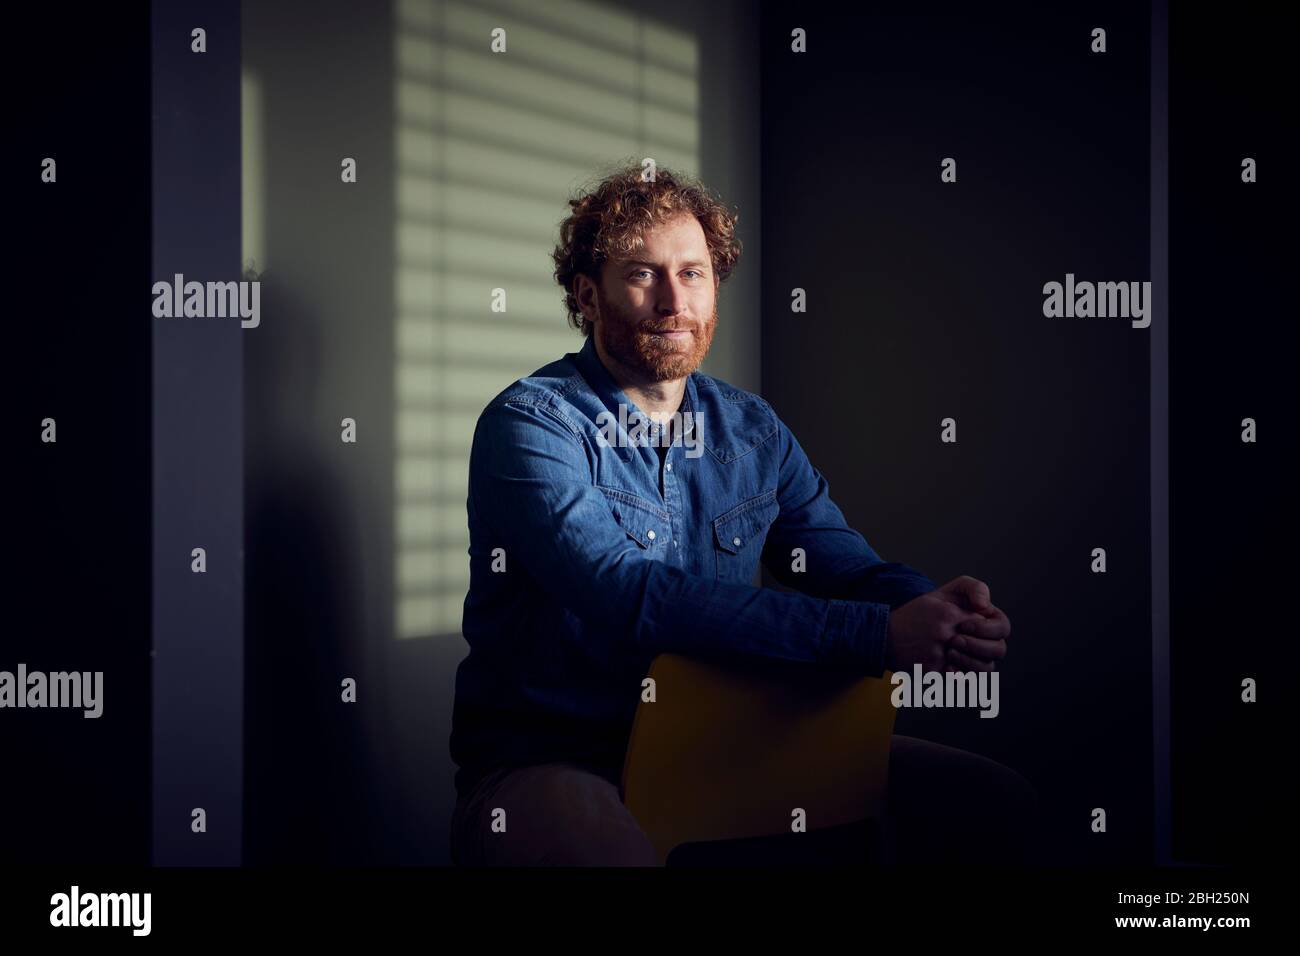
612, 219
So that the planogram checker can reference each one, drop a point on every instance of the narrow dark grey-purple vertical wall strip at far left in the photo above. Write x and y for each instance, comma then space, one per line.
198, 445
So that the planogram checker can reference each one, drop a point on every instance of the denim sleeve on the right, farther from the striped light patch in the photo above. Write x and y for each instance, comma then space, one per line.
838, 563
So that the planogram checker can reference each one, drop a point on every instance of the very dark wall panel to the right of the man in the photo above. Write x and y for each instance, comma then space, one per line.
925, 302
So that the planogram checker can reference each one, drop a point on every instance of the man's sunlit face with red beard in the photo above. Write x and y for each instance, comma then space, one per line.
656, 313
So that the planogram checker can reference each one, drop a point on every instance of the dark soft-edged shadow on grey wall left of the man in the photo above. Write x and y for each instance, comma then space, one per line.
306, 762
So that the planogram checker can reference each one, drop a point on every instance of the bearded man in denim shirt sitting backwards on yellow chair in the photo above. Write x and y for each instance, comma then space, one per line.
596, 547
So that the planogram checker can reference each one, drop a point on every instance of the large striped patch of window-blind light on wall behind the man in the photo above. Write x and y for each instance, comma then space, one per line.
489, 148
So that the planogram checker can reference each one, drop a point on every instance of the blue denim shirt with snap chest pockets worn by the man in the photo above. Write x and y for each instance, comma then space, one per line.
592, 551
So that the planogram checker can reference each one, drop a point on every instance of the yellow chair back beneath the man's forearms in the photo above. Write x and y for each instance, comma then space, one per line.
730, 752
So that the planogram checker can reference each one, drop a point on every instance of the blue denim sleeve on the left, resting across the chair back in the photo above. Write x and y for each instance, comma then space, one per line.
531, 482
